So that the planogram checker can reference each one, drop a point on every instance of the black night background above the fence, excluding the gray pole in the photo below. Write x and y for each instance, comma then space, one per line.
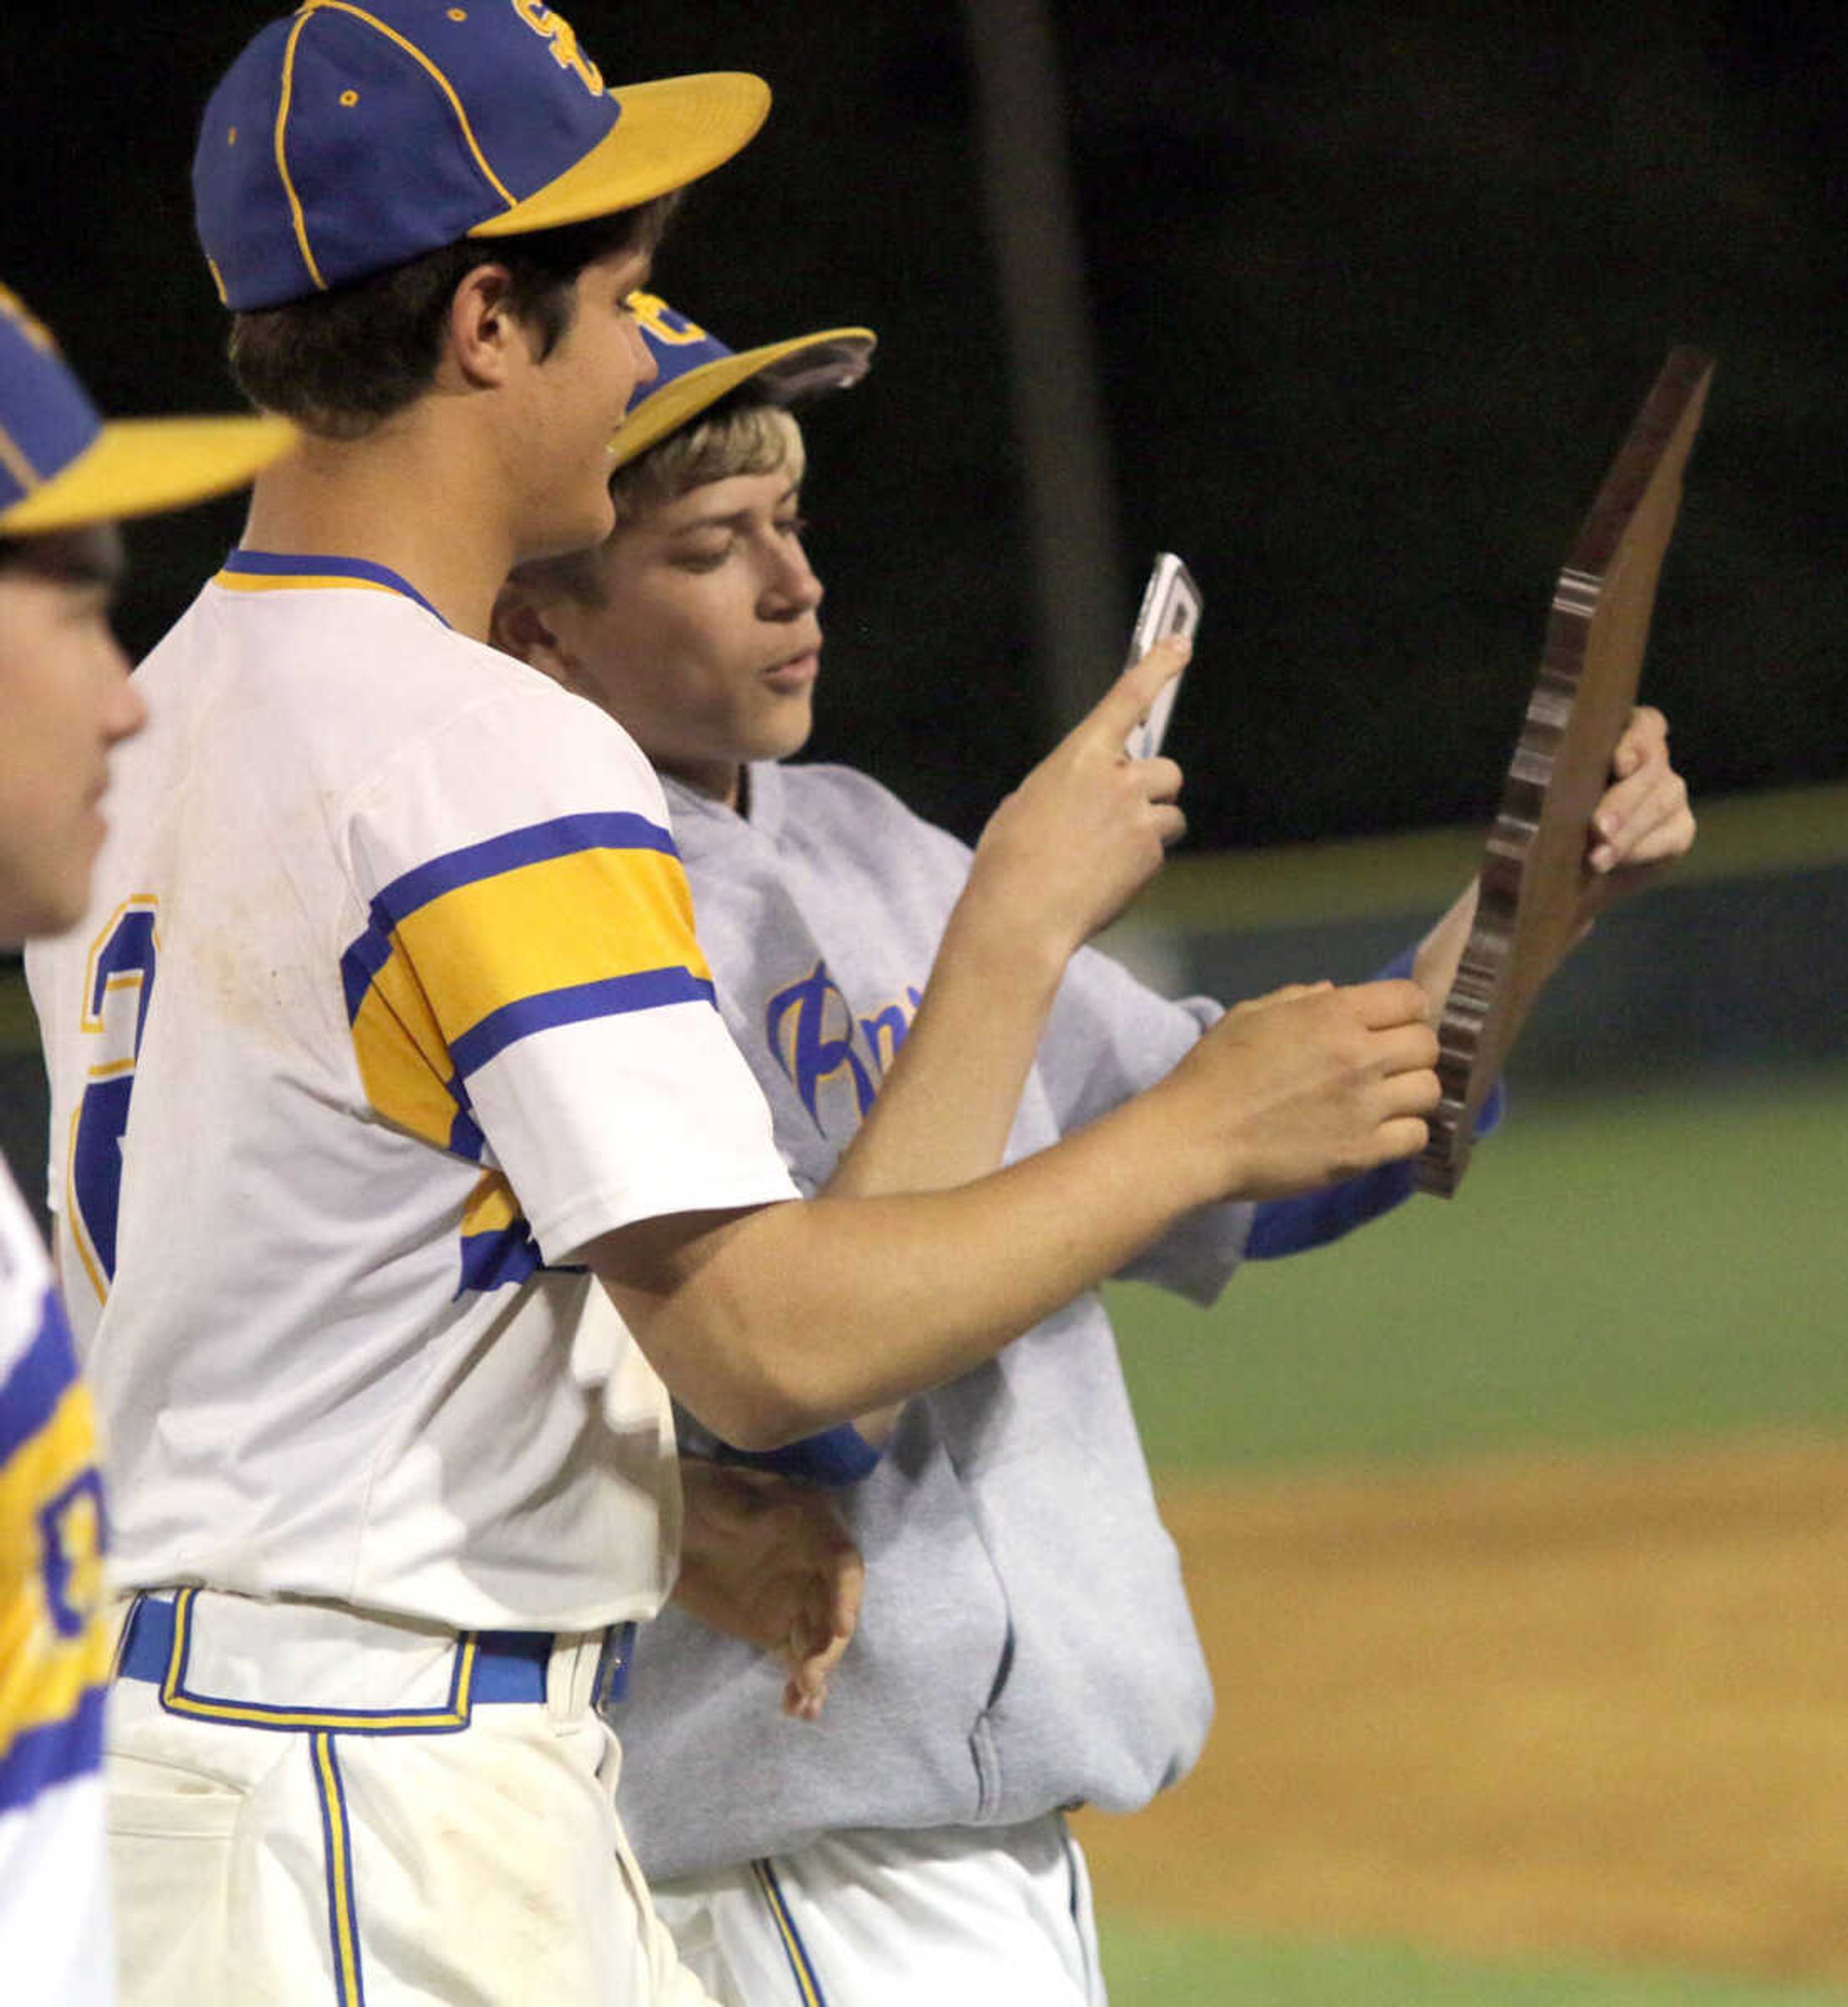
1373, 296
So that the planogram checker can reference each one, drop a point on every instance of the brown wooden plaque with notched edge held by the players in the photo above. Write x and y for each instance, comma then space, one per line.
1534, 870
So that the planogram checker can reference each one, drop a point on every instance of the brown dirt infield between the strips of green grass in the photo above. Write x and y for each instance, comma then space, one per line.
1562, 1707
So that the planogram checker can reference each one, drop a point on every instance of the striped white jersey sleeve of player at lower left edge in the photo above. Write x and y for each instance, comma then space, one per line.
53, 1643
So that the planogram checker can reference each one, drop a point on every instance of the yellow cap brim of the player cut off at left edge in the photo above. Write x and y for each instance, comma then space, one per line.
143, 465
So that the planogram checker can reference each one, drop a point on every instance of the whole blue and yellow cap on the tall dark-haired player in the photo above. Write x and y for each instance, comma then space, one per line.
348, 139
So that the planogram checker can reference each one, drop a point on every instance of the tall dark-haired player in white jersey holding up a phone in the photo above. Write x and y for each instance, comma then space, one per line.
386, 1073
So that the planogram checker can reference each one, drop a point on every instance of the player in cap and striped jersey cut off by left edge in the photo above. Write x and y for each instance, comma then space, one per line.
67, 701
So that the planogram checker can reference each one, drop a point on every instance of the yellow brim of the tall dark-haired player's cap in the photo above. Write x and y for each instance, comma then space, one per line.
669, 133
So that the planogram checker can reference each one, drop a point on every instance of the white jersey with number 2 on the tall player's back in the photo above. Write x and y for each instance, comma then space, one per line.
388, 1005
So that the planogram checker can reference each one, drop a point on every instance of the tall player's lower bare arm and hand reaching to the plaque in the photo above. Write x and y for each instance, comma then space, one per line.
782, 1322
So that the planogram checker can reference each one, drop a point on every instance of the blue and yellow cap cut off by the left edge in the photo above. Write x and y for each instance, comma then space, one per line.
61, 467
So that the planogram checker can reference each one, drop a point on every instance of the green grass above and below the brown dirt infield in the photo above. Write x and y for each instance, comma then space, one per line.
1612, 1273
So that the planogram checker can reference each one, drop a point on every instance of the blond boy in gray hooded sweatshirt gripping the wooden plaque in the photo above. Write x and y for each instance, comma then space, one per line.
1024, 1639
